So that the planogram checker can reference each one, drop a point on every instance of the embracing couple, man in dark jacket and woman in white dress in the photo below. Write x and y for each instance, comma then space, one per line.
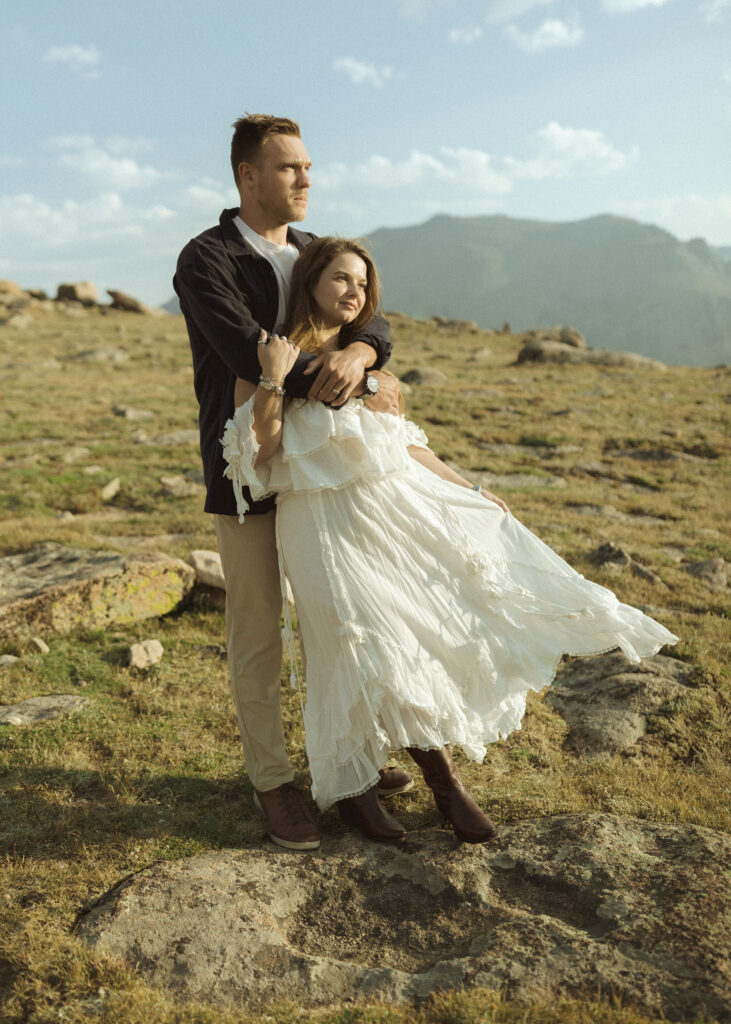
427, 611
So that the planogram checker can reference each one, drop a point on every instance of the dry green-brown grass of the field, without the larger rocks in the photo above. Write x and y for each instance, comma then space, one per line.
153, 770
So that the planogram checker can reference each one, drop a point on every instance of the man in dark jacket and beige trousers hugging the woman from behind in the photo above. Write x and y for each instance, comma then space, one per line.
233, 282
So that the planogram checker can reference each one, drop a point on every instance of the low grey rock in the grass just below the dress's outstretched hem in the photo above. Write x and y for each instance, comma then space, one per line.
607, 702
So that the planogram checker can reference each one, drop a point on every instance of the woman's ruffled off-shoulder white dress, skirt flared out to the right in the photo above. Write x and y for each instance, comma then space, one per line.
427, 613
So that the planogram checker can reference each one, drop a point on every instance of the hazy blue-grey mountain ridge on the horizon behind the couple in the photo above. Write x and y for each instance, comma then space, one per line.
623, 284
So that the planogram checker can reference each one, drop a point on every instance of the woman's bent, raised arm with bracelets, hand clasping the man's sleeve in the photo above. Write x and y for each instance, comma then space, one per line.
277, 357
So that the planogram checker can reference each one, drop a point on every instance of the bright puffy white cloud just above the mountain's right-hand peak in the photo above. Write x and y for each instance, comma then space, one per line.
566, 153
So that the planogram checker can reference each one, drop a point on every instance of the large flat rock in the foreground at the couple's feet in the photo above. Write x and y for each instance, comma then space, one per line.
576, 904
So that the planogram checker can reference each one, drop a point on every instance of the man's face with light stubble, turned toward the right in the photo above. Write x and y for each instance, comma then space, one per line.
278, 183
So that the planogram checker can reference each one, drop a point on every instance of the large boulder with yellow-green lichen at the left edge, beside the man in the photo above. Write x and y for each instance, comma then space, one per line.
57, 589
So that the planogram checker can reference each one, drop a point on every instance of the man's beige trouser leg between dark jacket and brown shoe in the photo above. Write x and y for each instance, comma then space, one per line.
253, 608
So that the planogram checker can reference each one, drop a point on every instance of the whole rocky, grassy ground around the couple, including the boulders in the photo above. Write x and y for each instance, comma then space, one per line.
138, 882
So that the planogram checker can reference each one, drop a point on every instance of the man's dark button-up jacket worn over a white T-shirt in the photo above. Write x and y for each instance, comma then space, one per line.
228, 292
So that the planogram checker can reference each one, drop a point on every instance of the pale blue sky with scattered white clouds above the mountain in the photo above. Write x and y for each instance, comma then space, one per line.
116, 120
